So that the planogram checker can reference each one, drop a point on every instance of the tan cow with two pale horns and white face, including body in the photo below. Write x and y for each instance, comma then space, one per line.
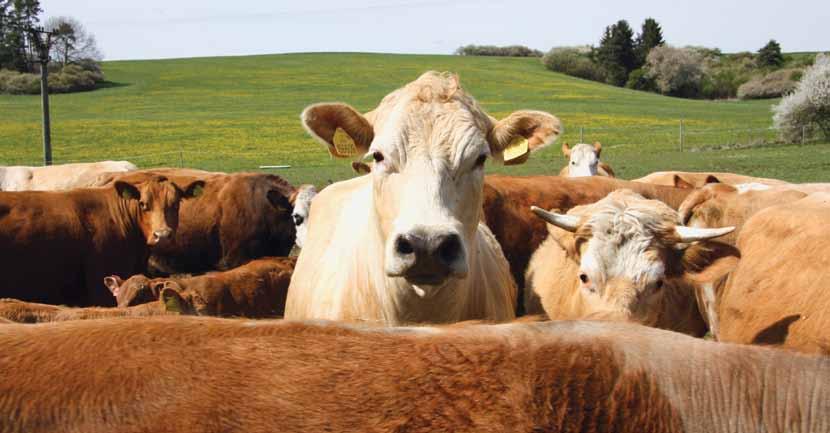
625, 256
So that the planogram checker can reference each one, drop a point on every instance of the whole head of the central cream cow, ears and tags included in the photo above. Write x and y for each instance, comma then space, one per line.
428, 142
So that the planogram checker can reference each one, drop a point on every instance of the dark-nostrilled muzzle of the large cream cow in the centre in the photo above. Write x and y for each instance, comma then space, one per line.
425, 259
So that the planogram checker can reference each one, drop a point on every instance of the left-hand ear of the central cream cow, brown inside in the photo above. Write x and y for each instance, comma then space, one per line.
344, 131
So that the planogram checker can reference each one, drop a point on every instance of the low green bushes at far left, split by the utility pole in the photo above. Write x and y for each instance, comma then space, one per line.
71, 78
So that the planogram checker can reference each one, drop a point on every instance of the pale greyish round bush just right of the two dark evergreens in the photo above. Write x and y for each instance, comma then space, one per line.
675, 71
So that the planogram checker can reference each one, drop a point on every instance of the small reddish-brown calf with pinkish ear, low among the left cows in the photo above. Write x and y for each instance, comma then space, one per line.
255, 289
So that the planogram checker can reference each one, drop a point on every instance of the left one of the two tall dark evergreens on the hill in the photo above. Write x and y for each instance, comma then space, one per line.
616, 53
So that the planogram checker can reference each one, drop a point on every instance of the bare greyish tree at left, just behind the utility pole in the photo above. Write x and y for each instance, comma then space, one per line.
71, 42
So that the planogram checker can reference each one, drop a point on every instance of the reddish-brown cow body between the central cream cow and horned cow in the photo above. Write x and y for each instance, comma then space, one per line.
507, 201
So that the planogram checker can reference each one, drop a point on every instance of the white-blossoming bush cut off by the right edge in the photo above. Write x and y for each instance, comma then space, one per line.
808, 107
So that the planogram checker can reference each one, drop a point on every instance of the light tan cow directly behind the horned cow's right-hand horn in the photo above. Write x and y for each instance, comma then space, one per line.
720, 204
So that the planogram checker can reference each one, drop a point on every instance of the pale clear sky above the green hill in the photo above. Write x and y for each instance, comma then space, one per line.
150, 29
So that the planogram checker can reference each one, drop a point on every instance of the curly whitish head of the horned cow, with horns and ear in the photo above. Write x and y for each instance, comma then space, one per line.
630, 251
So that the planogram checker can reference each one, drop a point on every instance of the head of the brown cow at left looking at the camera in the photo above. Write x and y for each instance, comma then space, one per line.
155, 202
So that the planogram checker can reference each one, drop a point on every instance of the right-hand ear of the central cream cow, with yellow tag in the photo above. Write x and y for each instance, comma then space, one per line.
514, 137
